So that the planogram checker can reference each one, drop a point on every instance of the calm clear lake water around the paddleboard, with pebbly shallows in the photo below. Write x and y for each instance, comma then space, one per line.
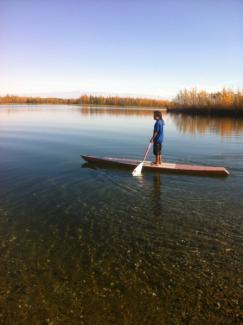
84, 245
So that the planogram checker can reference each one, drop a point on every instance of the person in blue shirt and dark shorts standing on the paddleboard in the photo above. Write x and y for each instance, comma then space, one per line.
157, 137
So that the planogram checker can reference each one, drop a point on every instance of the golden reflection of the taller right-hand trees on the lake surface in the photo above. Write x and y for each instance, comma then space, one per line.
201, 124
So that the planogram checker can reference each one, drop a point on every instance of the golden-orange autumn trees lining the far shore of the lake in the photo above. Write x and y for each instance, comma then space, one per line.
187, 100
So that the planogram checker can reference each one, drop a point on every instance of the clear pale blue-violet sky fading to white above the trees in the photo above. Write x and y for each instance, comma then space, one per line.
149, 48
